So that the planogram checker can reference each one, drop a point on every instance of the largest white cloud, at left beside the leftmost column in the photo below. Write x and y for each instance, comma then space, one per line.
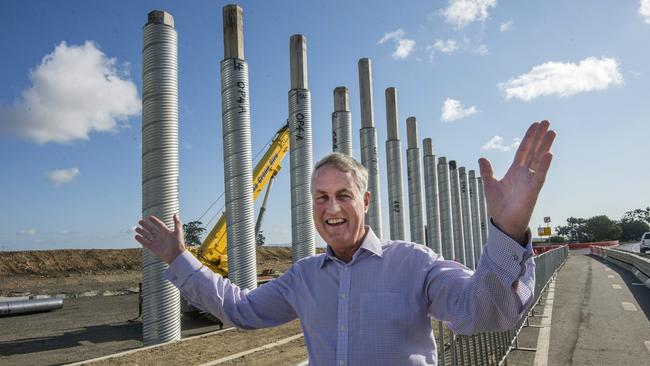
75, 90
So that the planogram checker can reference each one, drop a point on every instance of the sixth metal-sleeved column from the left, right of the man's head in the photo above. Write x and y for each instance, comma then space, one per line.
394, 168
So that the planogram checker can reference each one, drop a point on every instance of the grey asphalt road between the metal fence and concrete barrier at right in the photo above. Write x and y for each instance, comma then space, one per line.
600, 315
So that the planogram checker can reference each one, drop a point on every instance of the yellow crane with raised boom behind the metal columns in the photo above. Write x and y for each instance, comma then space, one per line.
213, 251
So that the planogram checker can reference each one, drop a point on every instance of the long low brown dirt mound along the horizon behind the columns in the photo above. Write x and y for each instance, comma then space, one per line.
54, 263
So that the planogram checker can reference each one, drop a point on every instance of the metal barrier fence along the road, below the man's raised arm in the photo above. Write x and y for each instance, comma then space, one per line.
492, 348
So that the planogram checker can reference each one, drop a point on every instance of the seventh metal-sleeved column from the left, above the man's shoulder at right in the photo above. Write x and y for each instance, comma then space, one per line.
416, 213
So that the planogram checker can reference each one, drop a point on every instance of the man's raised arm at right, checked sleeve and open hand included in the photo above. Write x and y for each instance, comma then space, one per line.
502, 287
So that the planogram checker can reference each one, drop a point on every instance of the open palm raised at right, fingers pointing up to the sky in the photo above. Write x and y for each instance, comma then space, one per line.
511, 200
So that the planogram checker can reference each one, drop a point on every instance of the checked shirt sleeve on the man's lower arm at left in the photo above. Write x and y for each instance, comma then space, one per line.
265, 306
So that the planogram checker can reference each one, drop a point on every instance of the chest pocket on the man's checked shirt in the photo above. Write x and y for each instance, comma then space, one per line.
383, 319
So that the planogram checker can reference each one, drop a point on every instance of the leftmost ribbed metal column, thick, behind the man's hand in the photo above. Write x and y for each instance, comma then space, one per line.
161, 320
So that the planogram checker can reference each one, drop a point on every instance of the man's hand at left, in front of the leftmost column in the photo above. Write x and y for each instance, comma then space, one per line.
154, 235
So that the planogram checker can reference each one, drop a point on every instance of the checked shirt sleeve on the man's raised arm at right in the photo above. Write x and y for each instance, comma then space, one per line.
494, 297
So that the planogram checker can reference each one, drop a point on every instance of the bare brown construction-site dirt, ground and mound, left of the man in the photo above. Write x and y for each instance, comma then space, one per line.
100, 290
